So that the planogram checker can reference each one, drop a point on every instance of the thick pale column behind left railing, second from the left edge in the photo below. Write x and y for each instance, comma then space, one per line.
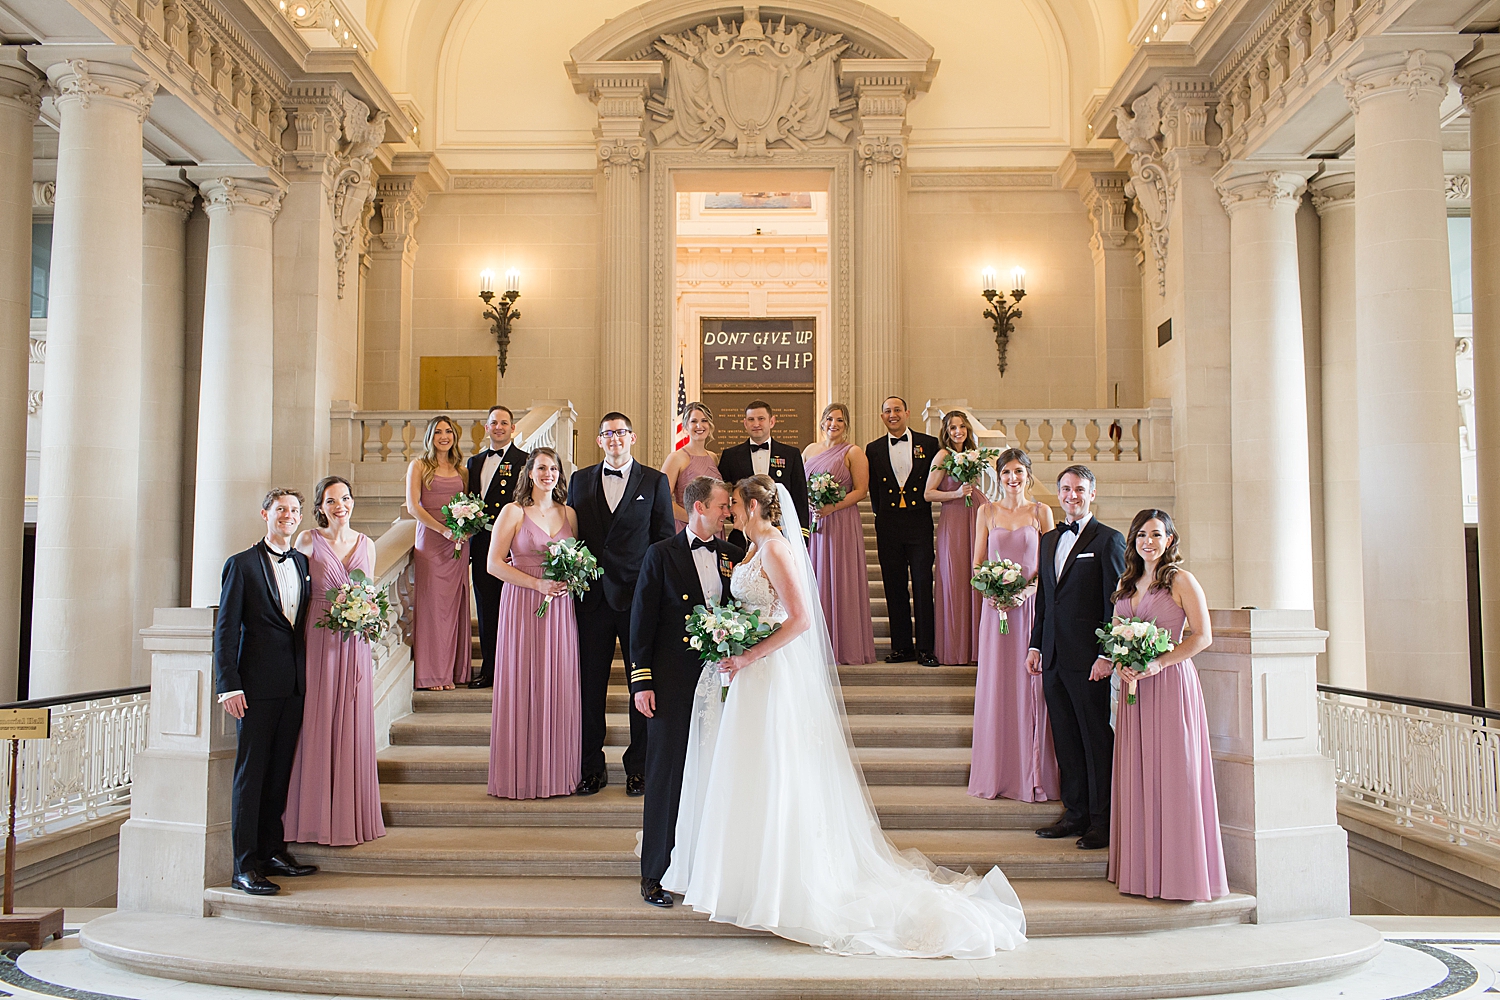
83, 618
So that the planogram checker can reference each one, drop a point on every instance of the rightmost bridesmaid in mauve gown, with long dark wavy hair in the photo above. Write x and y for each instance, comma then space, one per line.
1165, 834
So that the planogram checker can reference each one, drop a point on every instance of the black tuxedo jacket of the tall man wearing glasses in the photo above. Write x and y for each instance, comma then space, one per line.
620, 539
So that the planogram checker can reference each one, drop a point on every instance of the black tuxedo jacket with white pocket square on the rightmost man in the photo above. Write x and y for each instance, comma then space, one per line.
1070, 606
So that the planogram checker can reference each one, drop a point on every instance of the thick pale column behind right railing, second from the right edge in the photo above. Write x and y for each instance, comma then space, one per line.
1417, 615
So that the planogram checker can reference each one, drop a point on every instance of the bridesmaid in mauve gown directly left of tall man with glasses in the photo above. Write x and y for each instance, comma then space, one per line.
536, 729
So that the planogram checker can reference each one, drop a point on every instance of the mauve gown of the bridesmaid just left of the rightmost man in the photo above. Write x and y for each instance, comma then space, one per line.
1013, 755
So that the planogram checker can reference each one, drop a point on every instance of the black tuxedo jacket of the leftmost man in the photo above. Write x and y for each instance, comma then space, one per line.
256, 650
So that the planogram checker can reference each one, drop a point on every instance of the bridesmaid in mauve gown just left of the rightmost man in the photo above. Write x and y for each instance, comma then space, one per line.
1013, 755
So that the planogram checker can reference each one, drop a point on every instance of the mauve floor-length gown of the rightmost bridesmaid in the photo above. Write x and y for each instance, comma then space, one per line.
1165, 834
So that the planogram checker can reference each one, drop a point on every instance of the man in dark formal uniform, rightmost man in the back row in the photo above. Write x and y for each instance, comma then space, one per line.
904, 530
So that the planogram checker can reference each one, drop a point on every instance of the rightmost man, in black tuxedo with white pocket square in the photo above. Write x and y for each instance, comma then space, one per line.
1082, 563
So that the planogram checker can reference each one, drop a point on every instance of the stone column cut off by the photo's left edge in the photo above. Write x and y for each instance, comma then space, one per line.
19, 107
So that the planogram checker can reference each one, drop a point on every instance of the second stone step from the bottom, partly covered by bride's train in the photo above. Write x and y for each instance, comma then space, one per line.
613, 908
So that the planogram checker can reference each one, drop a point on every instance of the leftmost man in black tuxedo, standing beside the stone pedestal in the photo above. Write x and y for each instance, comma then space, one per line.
260, 674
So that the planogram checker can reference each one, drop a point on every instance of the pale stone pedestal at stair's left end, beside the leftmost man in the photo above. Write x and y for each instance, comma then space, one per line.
178, 839
